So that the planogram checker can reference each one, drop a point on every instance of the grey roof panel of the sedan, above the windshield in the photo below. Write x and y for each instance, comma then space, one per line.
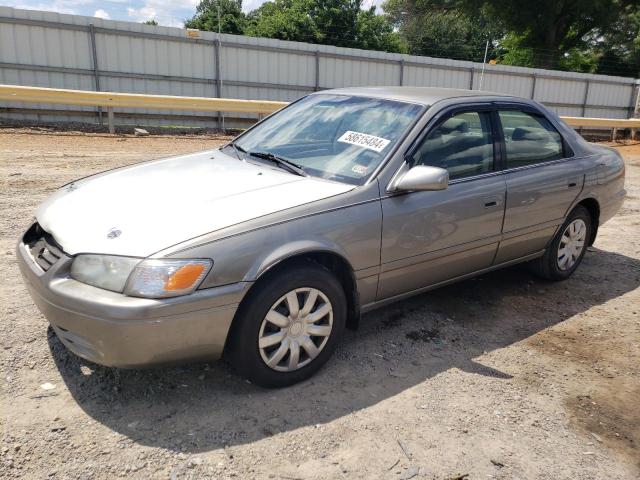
422, 95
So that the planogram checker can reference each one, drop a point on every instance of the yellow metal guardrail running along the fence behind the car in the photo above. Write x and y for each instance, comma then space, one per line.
111, 100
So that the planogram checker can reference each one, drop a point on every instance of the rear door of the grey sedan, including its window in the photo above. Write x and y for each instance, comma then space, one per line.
542, 180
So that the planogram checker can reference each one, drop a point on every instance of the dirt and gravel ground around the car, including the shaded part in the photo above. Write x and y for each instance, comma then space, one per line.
504, 376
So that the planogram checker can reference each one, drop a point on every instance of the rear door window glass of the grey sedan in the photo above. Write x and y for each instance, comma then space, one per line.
529, 138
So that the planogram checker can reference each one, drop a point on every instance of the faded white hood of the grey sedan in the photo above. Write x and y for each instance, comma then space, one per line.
142, 209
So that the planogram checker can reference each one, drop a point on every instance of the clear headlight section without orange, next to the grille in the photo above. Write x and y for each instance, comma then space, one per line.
103, 271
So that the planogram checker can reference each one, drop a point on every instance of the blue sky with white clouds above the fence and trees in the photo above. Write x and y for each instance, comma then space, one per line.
170, 13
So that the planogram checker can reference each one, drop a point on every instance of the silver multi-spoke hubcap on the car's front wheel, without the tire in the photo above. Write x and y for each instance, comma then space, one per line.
296, 329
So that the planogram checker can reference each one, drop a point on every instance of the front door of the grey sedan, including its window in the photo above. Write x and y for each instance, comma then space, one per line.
431, 237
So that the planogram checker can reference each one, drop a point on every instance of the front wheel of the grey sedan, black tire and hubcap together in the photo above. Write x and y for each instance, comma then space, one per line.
250, 345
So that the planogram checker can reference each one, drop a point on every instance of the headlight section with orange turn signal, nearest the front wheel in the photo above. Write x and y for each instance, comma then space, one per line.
167, 278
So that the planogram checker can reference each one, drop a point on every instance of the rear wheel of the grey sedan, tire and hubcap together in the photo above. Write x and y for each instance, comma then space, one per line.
555, 266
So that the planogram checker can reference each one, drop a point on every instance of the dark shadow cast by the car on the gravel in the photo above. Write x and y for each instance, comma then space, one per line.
202, 407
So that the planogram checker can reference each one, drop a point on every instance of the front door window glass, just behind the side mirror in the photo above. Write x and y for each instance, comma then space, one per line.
461, 144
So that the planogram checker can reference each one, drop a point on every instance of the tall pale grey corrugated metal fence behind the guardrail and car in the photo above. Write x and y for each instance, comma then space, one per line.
67, 51
